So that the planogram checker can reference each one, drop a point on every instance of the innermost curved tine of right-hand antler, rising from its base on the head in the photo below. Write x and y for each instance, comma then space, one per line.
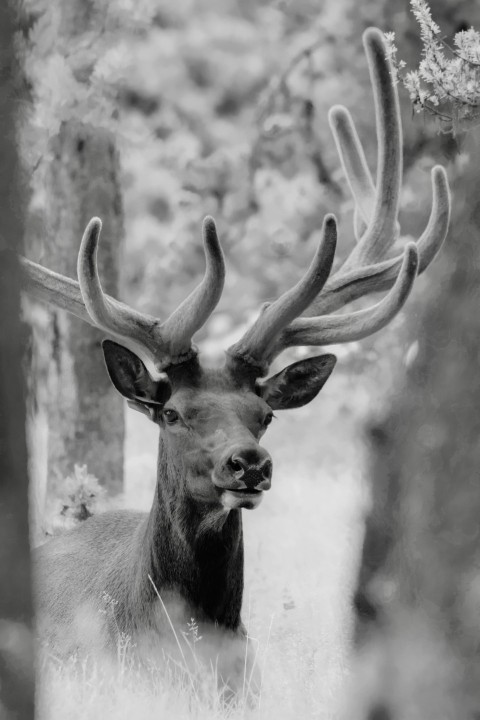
254, 346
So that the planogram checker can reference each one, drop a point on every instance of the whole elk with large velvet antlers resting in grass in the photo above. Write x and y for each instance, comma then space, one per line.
187, 552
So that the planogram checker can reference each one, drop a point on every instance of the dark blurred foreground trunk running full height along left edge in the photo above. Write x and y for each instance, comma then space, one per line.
16, 646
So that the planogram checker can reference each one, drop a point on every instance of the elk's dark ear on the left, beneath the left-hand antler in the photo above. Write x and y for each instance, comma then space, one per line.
132, 380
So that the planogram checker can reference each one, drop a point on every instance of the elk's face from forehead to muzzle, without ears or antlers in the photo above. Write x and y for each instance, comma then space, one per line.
215, 430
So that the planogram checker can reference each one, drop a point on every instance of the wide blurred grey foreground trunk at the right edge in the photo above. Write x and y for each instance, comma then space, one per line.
418, 600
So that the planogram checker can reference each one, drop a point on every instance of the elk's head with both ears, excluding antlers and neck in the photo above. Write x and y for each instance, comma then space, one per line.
212, 421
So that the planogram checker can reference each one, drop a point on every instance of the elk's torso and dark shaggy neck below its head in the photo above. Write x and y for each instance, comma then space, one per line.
110, 592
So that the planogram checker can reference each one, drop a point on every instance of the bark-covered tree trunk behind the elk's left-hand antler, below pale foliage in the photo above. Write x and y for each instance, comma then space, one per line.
85, 412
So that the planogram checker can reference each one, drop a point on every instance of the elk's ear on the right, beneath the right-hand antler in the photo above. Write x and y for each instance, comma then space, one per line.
297, 384
